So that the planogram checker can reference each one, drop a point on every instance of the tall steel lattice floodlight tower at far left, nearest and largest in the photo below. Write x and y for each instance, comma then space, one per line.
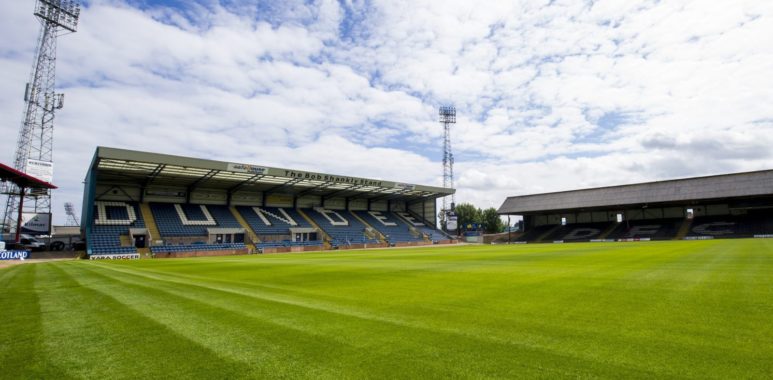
34, 150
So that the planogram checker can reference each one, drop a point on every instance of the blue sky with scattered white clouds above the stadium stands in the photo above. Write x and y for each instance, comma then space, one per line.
550, 95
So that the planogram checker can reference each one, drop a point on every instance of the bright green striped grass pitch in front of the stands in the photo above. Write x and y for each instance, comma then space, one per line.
637, 310
